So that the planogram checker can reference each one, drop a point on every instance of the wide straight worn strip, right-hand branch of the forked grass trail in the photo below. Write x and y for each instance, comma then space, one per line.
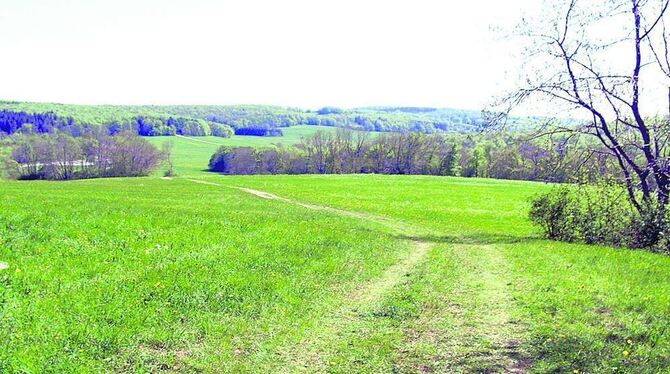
485, 334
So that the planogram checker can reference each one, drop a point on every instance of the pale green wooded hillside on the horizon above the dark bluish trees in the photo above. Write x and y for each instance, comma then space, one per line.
427, 120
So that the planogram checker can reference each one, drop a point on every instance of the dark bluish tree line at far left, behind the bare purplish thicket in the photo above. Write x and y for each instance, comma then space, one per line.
39, 123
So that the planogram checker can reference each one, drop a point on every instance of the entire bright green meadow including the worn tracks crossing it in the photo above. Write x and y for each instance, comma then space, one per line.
361, 273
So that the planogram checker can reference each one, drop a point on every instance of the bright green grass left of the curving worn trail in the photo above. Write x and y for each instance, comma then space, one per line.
140, 274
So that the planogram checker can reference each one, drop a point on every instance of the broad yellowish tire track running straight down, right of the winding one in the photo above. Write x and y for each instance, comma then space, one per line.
479, 333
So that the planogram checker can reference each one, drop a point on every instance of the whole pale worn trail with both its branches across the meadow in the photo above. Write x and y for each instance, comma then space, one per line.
470, 329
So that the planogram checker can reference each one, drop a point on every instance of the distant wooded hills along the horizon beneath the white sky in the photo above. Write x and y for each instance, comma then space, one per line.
205, 120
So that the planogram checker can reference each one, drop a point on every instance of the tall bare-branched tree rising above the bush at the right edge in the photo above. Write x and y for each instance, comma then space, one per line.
604, 60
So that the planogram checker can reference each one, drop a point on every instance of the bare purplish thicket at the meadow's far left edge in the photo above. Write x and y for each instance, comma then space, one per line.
60, 156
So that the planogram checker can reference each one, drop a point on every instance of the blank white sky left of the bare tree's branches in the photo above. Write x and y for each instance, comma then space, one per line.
303, 53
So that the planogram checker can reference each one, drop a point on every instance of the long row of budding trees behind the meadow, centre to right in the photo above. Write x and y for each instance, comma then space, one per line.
346, 151
